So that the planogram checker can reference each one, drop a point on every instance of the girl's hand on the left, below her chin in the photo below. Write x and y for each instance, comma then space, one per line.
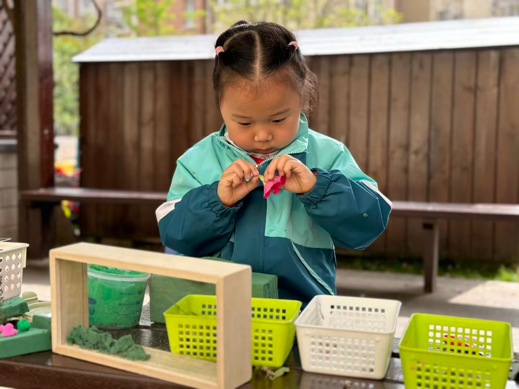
232, 186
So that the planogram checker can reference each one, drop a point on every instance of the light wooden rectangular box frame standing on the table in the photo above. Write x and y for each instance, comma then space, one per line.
69, 291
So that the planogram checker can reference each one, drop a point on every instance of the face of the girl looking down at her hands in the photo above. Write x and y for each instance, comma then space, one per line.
261, 122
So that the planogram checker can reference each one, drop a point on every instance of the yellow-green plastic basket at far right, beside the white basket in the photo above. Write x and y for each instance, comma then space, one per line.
442, 352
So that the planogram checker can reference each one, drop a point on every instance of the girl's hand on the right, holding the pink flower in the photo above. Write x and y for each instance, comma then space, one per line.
299, 179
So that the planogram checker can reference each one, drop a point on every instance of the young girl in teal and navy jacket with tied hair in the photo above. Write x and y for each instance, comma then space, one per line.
216, 204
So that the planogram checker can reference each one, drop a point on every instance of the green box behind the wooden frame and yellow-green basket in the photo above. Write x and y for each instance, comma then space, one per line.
167, 291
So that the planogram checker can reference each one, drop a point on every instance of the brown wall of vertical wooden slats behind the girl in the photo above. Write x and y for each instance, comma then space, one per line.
427, 126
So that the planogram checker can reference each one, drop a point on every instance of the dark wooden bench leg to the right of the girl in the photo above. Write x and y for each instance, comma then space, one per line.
431, 254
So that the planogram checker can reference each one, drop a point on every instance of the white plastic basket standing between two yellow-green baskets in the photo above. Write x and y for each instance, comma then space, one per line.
347, 336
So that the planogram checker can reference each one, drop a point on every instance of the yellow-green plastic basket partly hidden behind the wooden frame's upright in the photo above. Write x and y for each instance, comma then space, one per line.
191, 325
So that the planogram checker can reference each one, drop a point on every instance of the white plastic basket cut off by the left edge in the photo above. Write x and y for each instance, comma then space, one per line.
13, 257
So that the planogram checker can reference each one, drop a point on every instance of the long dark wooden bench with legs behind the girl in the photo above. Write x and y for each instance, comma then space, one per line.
430, 213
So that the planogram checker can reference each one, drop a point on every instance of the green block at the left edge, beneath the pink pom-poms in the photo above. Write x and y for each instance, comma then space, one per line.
32, 341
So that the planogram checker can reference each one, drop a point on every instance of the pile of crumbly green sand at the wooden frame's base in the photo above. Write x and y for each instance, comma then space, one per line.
94, 339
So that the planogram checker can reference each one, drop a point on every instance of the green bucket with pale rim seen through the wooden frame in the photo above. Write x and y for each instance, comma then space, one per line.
115, 297
